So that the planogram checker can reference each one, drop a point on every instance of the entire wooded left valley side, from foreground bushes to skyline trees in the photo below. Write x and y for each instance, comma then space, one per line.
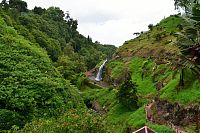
42, 56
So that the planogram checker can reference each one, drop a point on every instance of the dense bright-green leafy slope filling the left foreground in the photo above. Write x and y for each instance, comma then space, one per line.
30, 85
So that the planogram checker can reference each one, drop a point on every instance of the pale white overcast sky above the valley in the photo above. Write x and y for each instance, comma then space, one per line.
111, 21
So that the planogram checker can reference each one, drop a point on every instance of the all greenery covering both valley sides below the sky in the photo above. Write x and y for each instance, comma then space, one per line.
48, 69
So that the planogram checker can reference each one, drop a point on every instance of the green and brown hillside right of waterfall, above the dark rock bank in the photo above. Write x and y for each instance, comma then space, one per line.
152, 47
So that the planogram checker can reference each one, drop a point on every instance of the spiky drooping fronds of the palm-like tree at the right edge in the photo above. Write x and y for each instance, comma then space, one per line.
189, 39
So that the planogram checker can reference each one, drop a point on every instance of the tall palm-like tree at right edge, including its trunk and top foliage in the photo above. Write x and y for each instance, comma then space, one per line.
188, 40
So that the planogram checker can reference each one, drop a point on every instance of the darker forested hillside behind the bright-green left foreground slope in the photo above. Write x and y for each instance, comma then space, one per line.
56, 32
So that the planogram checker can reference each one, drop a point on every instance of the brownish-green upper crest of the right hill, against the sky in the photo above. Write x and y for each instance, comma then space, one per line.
151, 43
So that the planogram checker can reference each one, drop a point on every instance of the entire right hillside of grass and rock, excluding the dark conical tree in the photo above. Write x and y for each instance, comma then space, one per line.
149, 60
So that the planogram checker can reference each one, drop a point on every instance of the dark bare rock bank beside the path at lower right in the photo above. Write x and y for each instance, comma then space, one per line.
176, 114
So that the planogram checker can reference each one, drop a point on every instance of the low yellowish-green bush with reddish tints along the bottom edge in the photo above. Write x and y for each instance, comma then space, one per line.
72, 121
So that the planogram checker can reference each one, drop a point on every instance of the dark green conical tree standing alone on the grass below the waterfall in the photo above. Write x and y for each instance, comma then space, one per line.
127, 94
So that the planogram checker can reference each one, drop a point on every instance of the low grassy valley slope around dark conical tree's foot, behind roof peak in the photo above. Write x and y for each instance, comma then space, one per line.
118, 118
